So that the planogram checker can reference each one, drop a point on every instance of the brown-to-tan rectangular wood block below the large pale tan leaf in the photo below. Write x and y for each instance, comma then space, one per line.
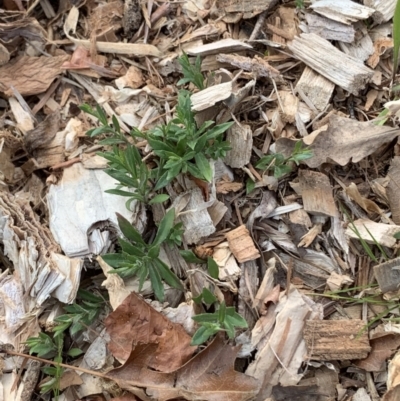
317, 194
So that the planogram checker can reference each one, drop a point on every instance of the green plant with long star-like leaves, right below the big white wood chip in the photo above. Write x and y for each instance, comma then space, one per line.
141, 259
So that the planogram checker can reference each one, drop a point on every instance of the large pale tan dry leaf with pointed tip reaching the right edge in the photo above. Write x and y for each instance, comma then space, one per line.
341, 142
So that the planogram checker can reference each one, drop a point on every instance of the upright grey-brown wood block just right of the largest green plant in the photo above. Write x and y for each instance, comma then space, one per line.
241, 141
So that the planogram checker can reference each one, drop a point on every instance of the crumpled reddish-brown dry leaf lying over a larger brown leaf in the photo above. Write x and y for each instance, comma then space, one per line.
135, 321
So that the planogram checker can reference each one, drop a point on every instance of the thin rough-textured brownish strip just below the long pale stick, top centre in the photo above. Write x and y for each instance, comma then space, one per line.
258, 66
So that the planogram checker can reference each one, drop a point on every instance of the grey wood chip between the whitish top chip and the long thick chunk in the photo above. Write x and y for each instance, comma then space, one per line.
330, 30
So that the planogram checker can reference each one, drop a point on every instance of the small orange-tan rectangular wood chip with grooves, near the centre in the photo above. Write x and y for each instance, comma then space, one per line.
241, 244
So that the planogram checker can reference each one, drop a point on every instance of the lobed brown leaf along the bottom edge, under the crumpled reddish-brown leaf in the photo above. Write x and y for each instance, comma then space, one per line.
210, 375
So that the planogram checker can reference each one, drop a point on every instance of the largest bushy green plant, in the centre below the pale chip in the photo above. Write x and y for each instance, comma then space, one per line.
184, 148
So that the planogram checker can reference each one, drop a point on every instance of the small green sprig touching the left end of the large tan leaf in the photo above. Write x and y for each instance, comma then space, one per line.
282, 165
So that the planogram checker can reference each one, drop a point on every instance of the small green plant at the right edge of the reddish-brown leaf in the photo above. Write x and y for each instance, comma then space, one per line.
223, 319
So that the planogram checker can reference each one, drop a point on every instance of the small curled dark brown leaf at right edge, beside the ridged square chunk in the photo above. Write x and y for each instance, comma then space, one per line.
383, 347
